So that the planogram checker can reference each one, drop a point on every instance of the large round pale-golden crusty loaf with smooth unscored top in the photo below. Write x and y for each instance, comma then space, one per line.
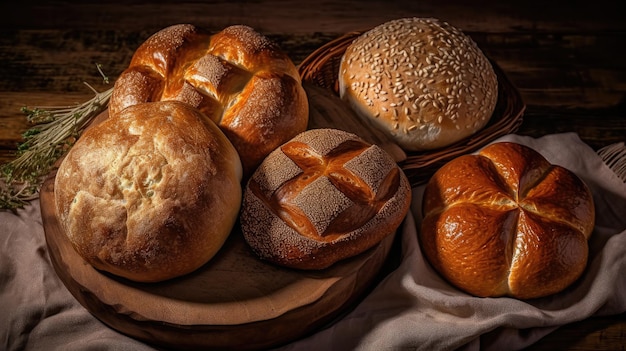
151, 194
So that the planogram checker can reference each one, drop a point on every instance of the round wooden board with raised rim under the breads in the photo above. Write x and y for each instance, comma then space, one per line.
235, 301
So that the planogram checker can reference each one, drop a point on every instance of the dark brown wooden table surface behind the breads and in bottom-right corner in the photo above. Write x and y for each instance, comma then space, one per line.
567, 62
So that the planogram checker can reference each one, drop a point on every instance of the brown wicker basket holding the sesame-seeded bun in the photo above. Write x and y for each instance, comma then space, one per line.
321, 68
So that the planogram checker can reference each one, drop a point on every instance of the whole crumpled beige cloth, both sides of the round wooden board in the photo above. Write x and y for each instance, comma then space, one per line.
412, 308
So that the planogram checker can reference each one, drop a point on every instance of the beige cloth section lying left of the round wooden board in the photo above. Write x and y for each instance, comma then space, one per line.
38, 312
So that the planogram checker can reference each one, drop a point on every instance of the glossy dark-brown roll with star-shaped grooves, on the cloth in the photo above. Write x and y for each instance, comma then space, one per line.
507, 222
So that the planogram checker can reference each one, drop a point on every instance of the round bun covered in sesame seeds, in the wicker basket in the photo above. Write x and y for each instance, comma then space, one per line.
421, 80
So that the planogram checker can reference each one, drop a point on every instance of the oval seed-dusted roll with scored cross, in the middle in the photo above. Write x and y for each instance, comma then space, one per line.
323, 196
